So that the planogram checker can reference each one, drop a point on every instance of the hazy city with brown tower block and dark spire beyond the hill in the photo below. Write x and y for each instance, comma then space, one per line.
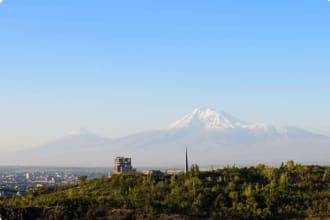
16, 181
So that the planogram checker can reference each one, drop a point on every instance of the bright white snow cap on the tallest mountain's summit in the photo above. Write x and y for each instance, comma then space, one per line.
208, 118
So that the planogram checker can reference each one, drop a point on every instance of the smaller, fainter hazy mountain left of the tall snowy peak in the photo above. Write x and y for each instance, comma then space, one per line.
79, 147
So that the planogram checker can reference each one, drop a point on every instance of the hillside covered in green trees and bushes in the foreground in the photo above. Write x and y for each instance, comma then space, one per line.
261, 192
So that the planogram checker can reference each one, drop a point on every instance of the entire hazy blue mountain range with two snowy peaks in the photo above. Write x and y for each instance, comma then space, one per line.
211, 137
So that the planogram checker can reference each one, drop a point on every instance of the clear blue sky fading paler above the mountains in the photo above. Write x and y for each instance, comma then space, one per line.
118, 67
